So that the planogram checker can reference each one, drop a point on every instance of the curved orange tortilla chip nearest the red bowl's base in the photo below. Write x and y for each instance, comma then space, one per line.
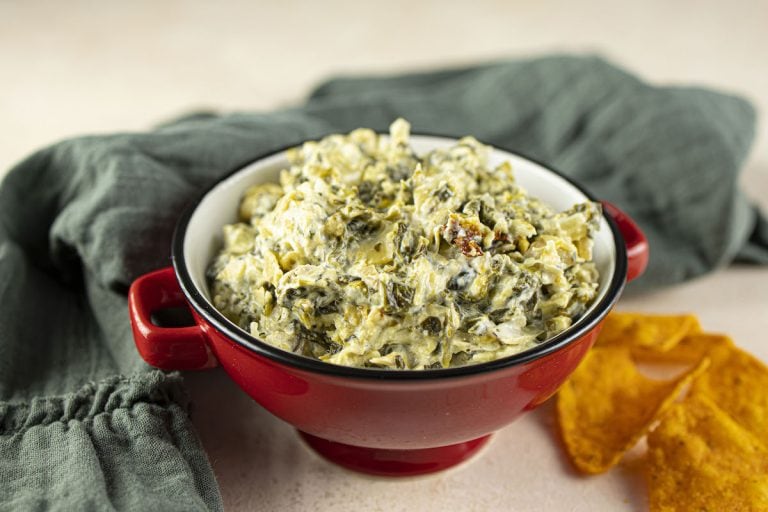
607, 405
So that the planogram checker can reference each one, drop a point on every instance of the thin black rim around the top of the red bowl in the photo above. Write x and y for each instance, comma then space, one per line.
206, 310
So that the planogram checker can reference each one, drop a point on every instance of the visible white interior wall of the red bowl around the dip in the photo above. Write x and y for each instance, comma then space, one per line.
203, 237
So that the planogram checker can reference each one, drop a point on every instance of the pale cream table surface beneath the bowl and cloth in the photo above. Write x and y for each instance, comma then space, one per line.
94, 67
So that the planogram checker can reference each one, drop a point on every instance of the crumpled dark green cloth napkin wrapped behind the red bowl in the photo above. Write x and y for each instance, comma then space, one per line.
85, 425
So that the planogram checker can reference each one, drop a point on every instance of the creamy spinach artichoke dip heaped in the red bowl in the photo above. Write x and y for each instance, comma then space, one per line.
369, 255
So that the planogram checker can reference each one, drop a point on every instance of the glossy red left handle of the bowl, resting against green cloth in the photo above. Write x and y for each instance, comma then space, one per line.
168, 348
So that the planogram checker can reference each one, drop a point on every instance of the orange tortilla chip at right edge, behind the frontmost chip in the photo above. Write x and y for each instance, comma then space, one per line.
738, 384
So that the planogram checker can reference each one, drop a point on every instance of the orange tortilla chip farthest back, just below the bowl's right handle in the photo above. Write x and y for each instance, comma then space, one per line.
658, 332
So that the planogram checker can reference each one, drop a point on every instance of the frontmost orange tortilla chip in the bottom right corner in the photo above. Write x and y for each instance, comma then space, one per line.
700, 459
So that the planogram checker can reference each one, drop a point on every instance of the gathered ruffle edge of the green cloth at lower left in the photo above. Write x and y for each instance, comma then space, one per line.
123, 444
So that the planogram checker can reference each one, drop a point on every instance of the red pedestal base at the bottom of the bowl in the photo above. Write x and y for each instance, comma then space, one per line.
383, 462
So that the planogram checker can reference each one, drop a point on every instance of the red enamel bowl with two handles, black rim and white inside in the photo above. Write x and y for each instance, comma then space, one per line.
386, 422
